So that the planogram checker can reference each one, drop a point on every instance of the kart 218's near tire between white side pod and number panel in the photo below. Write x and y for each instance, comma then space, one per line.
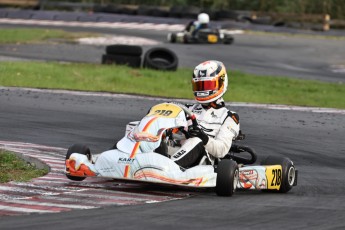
227, 177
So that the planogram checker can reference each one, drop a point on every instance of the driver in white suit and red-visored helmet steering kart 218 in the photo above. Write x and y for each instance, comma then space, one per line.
217, 125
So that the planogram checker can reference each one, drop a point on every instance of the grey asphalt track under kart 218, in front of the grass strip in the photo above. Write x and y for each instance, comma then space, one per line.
313, 140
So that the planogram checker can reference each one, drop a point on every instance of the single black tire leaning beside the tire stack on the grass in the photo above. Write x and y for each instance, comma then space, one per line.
160, 59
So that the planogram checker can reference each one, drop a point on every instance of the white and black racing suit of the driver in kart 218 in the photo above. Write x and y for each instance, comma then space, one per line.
219, 124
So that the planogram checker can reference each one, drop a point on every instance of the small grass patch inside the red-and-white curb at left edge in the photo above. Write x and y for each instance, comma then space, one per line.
13, 168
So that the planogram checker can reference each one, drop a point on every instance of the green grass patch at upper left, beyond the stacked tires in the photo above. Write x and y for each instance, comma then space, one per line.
23, 35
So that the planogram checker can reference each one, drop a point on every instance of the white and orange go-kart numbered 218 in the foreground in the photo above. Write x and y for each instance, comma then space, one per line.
137, 158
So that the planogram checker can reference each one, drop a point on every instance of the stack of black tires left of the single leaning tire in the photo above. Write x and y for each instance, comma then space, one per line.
123, 55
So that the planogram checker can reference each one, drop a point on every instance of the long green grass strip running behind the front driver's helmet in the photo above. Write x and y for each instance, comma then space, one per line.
120, 79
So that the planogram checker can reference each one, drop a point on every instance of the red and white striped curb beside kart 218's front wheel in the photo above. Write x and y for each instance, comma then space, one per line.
54, 192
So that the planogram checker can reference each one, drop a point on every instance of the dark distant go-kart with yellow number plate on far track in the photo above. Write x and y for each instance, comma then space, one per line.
210, 36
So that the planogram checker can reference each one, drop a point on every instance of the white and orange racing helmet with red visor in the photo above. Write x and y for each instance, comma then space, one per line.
209, 81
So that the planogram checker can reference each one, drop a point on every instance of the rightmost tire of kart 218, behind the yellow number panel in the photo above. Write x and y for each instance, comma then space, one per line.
289, 173
